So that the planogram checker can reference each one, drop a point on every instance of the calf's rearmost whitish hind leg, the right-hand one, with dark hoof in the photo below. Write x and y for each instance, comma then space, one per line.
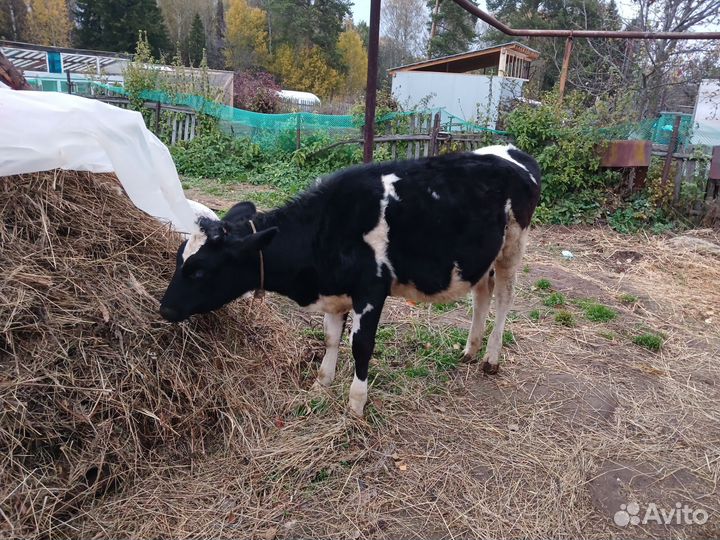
506, 266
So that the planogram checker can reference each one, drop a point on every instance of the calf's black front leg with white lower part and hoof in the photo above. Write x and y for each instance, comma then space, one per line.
366, 316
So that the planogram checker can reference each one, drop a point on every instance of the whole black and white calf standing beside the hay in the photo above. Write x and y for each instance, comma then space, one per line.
428, 230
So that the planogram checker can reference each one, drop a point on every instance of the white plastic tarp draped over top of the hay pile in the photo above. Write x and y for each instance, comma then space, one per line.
40, 131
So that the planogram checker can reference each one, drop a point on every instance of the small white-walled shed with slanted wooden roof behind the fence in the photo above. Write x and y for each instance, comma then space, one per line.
469, 85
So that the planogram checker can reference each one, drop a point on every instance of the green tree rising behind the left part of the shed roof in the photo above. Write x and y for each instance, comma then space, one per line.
452, 29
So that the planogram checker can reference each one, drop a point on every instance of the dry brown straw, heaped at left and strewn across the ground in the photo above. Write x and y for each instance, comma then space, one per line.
115, 424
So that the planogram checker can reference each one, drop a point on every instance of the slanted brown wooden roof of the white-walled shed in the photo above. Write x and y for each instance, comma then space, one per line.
471, 61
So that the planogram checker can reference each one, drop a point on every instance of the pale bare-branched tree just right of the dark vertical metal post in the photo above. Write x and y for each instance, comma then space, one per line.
405, 22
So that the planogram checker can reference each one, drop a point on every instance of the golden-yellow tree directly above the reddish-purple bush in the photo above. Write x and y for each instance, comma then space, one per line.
247, 37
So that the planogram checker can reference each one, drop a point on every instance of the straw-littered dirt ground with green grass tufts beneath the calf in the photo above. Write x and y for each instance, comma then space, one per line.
598, 425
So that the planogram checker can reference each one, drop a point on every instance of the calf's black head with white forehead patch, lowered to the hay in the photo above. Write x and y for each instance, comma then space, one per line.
215, 265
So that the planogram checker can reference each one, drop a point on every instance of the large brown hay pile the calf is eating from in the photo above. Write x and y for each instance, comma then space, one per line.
96, 391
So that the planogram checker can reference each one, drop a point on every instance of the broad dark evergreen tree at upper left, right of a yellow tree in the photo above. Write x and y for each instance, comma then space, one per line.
113, 25
